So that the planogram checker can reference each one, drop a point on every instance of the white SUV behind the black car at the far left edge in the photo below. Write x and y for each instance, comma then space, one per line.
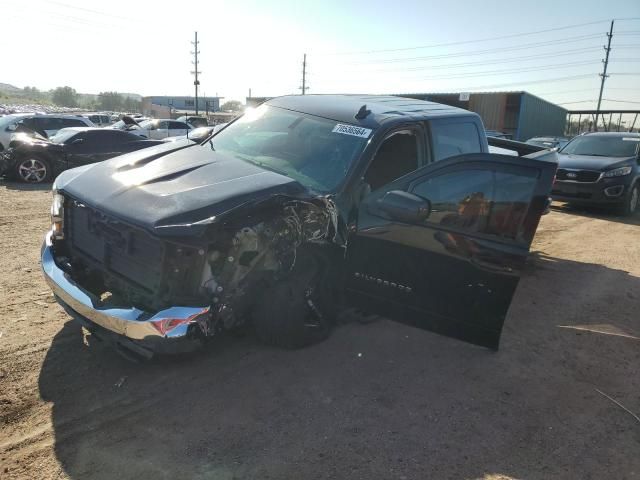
45, 125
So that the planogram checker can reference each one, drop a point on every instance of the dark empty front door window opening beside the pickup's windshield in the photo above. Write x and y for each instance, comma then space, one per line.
397, 156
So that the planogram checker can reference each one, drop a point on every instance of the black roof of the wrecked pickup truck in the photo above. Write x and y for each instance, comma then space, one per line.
343, 108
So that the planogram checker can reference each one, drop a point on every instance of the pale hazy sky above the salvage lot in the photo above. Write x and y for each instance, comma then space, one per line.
552, 49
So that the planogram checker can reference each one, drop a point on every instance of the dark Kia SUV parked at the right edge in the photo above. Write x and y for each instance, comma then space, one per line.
600, 168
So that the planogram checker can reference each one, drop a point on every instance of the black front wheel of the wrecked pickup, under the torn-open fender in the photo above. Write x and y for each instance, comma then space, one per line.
295, 312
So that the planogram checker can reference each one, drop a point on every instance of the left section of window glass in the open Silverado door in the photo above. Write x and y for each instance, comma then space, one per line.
460, 199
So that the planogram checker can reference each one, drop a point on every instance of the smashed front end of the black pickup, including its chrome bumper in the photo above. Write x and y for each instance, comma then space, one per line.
170, 293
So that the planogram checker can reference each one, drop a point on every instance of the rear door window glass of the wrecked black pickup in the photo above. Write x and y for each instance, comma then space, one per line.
451, 139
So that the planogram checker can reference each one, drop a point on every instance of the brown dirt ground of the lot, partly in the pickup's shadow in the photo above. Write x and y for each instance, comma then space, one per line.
377, 401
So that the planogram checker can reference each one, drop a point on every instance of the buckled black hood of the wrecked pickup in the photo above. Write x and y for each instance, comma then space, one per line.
172, 189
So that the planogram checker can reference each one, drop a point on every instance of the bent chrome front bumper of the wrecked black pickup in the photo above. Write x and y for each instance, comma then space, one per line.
178, 329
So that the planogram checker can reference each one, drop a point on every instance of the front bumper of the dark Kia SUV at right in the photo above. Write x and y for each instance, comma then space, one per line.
606, 191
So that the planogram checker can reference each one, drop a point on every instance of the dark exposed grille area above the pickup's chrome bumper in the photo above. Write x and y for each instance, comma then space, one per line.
116, 247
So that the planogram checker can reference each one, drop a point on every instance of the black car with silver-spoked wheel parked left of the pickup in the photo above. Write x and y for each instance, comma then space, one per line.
35, 159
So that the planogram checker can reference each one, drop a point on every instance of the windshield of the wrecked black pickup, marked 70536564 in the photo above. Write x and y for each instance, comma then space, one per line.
304, 147
